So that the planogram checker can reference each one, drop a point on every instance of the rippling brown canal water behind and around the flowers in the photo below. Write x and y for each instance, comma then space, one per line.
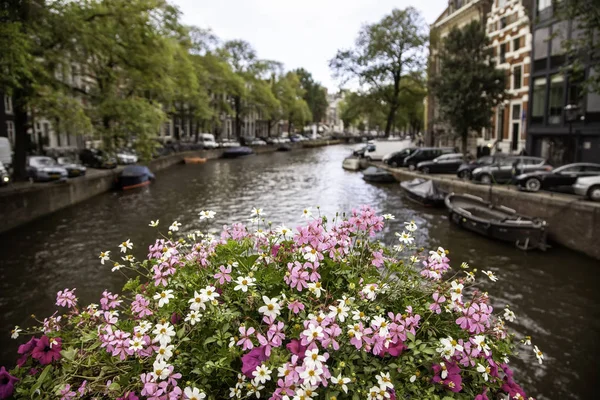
555, 295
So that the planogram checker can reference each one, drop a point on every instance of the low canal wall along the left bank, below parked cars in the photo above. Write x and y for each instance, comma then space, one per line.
24, 203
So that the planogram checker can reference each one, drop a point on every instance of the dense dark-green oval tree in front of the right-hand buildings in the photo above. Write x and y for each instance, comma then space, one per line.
468, 86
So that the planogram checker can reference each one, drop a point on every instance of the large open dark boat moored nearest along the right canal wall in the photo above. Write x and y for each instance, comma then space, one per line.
497, 221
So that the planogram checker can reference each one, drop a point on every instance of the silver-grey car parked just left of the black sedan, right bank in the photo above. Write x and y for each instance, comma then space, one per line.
506, 169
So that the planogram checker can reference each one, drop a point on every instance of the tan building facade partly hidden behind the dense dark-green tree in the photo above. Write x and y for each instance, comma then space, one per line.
458, 14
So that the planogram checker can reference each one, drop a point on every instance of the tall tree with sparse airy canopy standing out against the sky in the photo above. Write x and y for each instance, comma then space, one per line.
384, 53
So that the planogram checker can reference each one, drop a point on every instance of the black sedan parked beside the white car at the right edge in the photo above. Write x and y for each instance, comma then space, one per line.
561, 177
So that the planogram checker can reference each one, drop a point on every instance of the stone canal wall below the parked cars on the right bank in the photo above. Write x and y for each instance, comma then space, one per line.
572, 222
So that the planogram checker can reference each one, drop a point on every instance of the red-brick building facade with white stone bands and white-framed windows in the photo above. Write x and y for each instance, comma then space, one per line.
509, 29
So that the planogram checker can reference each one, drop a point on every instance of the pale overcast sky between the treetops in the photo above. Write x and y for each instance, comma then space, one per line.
305, 33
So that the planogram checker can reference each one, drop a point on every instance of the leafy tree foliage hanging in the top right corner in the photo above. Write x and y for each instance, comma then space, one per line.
584, 44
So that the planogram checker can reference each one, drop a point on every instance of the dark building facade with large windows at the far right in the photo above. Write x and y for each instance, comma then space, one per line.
560, 136
